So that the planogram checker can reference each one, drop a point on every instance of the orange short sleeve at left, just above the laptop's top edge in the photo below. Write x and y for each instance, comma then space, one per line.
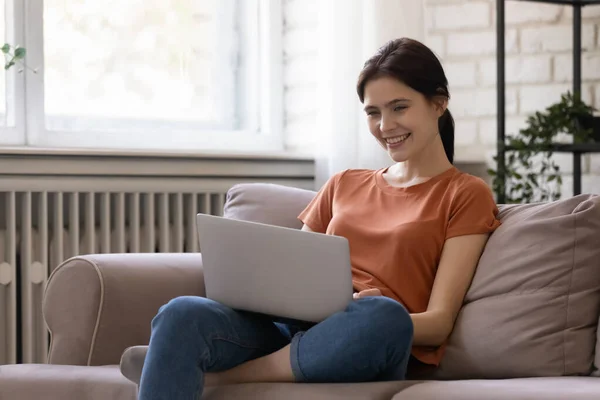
318, 213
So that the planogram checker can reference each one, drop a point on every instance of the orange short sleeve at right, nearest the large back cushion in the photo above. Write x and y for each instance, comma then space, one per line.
473, 210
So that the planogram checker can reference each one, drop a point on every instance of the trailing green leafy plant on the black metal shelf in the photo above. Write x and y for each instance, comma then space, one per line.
531, 174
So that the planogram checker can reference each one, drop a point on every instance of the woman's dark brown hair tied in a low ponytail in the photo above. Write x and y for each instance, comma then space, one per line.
415, 65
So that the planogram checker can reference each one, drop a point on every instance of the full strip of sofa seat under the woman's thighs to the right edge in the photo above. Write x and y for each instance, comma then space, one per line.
559, 388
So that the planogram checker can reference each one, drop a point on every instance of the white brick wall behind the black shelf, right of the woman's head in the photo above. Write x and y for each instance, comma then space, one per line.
538, 69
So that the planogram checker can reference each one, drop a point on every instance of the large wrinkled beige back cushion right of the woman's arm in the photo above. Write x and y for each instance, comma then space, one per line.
532, 308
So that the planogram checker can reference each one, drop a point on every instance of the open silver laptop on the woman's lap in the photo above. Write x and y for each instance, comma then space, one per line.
281, 272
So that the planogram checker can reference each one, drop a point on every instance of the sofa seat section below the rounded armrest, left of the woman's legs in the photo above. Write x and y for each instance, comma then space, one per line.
64, 382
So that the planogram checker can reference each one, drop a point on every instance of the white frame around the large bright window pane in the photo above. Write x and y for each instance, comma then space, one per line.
267, 90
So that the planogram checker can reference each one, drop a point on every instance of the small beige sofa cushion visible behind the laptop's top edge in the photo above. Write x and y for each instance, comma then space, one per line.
267, 203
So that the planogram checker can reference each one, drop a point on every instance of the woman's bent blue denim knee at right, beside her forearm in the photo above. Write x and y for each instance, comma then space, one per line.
371, 340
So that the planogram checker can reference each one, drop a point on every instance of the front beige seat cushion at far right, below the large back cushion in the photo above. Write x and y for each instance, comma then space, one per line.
558, 388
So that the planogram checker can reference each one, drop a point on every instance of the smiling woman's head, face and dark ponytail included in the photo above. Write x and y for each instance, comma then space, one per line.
406, 102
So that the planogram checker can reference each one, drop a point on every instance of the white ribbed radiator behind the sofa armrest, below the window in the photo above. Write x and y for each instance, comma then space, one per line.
45, 220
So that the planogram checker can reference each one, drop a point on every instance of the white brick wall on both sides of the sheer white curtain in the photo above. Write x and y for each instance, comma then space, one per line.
462, 33
